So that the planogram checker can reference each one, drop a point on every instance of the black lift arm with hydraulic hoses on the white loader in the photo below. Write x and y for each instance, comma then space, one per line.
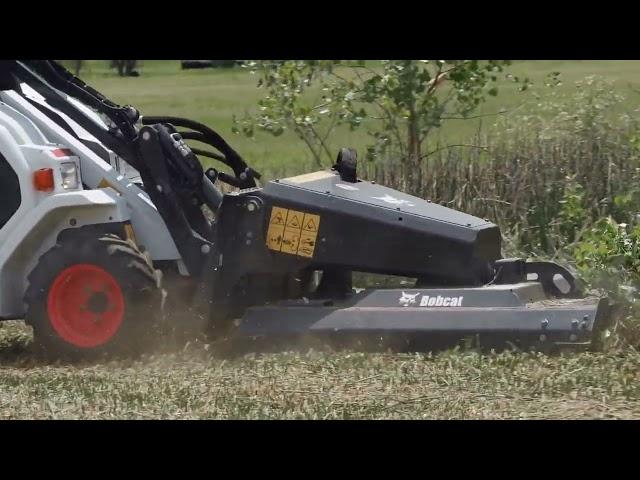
171, 173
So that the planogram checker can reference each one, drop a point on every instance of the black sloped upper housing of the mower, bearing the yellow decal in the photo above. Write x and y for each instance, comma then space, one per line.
363, 227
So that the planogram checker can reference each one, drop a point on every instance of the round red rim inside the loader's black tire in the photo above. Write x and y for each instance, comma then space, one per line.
85, 305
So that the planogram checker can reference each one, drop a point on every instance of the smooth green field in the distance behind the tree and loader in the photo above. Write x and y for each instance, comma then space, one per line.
213, 96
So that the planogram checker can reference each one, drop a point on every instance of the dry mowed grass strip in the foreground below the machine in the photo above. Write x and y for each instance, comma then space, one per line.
193, 383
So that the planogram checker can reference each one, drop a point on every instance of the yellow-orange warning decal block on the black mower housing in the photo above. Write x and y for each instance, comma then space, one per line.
293, 232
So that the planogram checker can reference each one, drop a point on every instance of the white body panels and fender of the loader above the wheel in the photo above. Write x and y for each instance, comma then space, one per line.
31, 141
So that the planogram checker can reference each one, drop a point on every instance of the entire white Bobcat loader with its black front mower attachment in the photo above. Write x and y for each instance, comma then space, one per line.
110, 227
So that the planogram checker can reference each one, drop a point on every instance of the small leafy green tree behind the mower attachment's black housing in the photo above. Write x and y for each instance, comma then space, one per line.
401, 102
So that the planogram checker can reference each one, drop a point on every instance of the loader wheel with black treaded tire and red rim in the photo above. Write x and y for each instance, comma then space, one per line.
136, 302
